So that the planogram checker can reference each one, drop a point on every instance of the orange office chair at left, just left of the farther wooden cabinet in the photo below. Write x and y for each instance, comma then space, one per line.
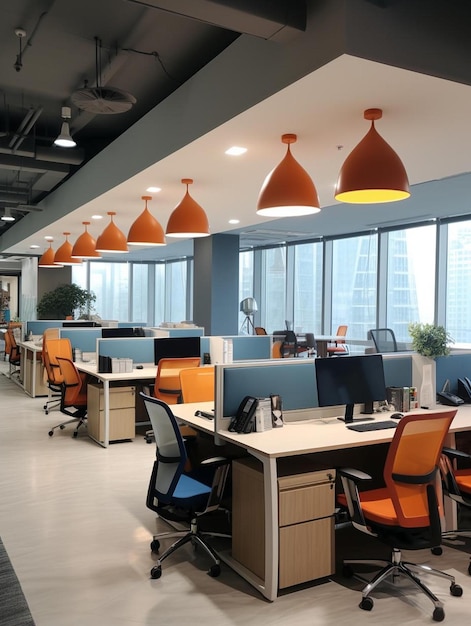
73, 395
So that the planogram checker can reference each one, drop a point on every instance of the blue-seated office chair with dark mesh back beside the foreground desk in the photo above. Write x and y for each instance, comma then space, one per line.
177, 496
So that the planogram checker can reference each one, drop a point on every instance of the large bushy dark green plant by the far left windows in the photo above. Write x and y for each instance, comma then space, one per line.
64, 301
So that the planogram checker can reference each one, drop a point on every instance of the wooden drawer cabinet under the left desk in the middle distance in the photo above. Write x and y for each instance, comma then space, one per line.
122, 413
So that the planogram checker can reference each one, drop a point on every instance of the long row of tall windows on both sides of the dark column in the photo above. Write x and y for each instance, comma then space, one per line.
383, 278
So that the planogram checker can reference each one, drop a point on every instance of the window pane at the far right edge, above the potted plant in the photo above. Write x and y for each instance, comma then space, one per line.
458, 293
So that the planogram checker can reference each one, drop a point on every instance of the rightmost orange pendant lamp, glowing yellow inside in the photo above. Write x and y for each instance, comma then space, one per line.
372, 172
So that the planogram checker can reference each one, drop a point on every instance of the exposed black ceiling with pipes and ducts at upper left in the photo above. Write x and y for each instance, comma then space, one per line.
50, 50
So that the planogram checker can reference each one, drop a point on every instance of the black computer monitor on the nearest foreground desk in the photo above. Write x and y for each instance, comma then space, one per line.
350, 380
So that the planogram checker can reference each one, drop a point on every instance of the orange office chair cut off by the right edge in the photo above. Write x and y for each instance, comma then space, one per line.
456, 484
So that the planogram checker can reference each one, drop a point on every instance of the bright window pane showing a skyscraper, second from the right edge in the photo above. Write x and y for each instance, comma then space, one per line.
410, 278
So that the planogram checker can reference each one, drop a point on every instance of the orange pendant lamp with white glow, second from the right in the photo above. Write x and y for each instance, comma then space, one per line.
288, 189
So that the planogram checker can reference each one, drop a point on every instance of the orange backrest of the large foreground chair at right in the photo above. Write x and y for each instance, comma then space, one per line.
411, 470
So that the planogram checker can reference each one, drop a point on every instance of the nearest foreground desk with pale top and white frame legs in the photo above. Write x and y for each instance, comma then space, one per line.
294, 439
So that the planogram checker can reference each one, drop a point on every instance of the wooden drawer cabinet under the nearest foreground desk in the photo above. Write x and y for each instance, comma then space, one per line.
306, 502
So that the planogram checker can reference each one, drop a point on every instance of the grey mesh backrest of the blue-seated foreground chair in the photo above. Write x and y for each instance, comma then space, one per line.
171, 453
